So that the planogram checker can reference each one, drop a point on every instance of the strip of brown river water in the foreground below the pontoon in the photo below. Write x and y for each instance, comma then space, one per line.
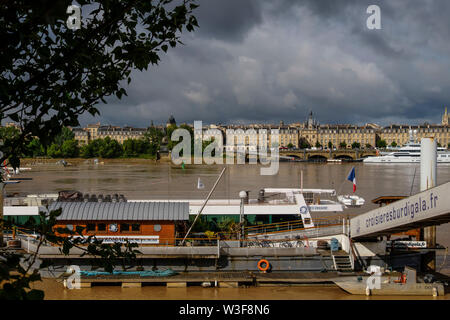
55, 291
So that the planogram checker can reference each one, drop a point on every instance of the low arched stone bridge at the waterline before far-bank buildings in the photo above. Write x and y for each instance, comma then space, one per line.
323, 155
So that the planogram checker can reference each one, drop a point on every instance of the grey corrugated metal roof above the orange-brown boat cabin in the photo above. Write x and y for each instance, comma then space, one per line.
133, 211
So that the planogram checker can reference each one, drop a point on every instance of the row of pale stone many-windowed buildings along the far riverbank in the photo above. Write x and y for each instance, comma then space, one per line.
296, 135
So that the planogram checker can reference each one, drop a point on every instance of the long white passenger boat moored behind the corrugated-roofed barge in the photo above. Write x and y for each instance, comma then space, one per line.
272, 205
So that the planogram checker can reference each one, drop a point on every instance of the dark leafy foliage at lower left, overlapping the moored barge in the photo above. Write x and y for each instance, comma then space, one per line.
18, 272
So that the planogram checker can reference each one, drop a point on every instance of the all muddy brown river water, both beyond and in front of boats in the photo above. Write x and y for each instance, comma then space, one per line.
141, 180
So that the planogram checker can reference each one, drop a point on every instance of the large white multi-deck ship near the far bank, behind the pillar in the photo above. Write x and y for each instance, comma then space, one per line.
410, 153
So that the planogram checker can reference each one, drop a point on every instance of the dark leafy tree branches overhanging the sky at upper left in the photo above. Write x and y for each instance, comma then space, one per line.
50, 74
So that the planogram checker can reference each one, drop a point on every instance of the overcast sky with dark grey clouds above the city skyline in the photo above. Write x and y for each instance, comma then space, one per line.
270, 60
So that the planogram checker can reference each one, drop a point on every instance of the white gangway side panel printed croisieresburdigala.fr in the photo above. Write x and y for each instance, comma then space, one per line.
427, 208
